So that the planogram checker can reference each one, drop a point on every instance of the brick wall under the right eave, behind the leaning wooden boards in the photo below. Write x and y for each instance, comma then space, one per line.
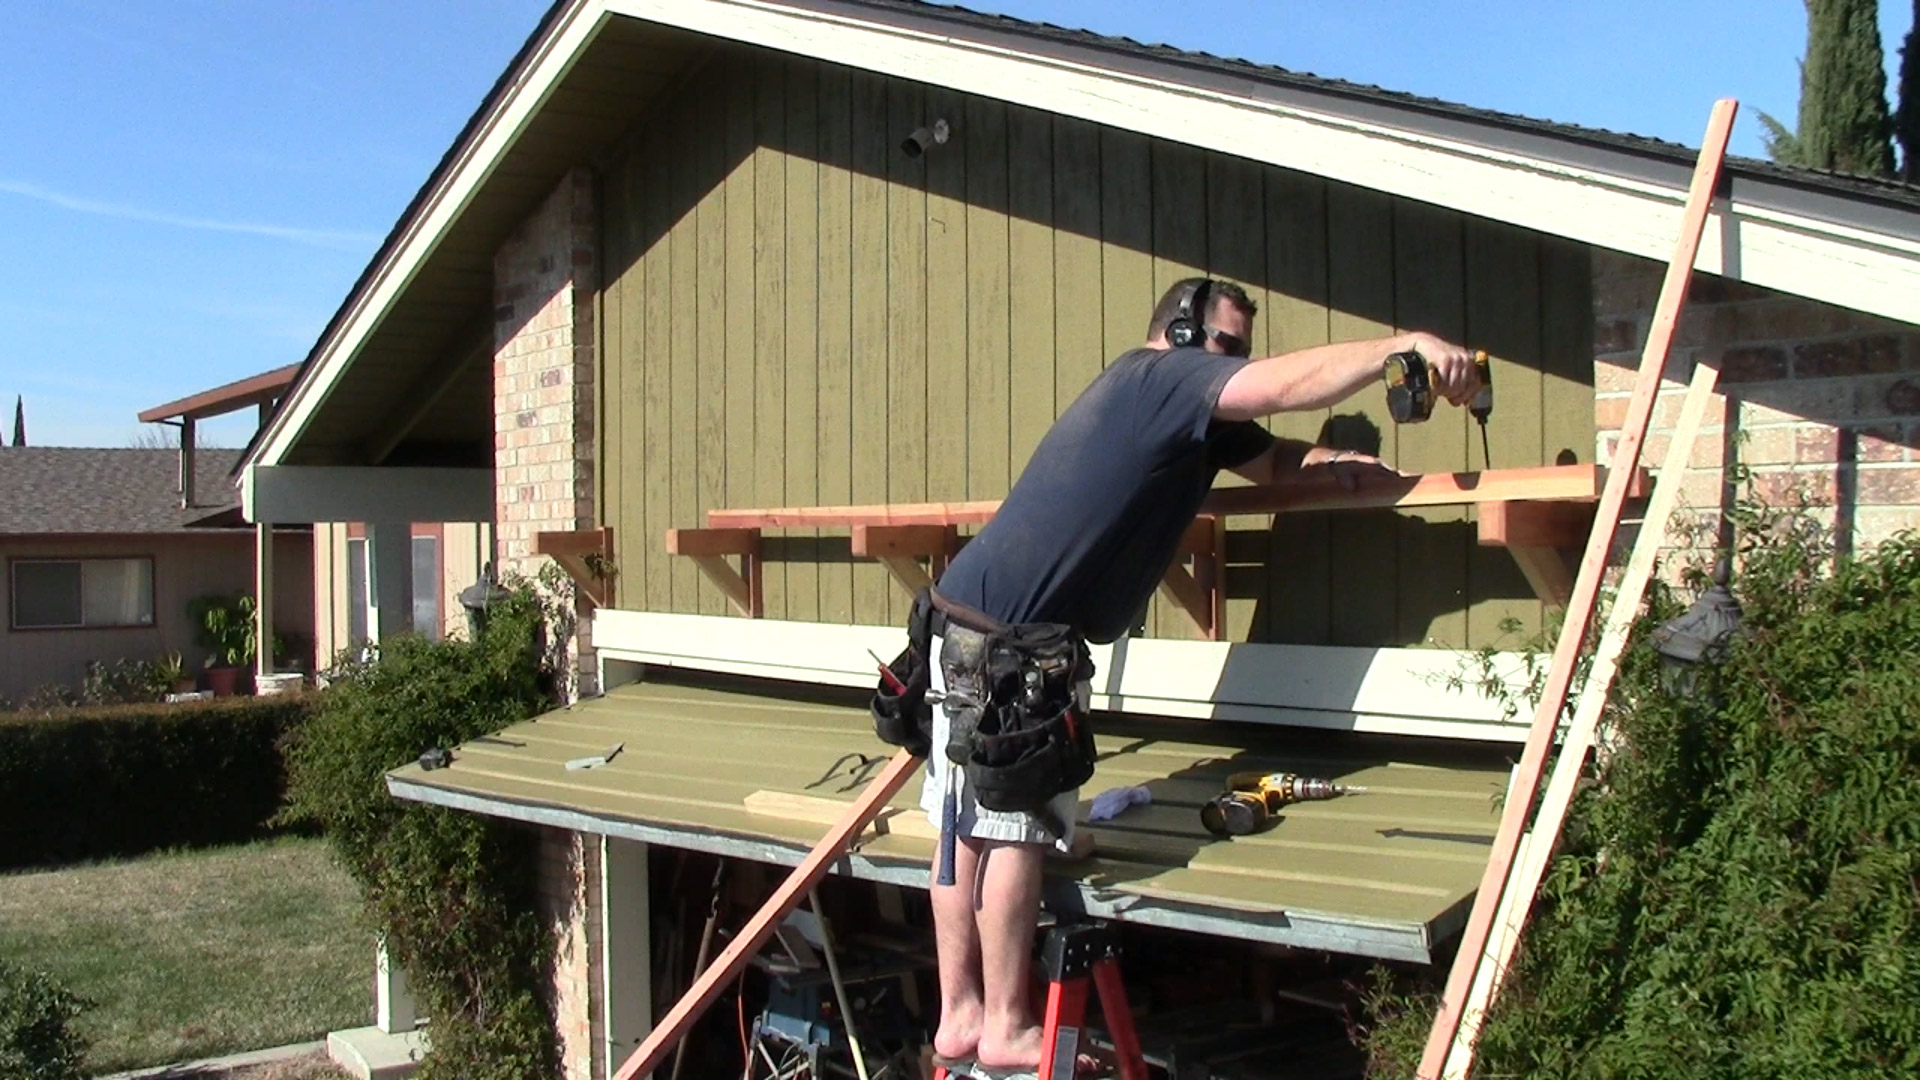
1817, 401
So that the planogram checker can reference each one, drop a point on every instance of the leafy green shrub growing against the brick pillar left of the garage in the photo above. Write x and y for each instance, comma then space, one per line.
450, 893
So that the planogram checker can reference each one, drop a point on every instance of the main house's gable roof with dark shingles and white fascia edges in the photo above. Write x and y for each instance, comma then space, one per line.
594, 64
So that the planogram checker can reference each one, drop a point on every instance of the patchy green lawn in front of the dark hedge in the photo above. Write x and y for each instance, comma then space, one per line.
197, 954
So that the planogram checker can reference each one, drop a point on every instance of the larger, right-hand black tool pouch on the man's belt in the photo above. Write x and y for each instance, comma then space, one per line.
1032, 739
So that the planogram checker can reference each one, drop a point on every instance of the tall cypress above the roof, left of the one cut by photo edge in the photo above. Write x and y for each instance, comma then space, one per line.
1844, 120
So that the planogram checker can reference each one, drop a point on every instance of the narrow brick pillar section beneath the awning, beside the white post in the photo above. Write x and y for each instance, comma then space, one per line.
569, 904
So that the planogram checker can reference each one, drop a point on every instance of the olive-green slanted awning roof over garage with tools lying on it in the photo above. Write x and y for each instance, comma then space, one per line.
1383, 873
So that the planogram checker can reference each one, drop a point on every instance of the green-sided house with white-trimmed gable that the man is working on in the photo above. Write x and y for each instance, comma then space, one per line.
679, 262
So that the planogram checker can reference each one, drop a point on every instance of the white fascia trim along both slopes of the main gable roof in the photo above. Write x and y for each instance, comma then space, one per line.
1758, 245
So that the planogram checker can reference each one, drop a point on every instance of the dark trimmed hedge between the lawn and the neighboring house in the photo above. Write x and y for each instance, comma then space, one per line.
130, 779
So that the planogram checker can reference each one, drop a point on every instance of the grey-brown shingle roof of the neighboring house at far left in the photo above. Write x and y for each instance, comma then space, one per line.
57, 491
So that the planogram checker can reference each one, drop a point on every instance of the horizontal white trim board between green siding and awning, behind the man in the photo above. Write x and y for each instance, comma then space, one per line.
1320, 687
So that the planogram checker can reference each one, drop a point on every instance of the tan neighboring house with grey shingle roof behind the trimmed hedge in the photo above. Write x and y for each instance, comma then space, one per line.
103, 560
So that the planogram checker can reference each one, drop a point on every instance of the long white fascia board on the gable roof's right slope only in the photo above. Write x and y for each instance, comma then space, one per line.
1765, 247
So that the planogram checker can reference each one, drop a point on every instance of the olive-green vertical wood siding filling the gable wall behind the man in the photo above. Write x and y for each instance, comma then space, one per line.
796, 312
